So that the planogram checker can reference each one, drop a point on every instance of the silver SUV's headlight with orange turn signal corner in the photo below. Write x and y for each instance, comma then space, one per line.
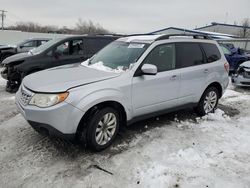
46, 100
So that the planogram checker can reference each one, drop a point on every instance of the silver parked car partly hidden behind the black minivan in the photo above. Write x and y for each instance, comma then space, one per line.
25, 46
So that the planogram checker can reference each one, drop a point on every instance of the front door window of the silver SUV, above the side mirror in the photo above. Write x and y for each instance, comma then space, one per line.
162, 56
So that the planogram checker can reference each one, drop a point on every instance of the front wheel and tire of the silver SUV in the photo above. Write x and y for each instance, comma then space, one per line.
97, 135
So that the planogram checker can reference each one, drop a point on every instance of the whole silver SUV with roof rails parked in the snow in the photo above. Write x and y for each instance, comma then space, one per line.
130, 79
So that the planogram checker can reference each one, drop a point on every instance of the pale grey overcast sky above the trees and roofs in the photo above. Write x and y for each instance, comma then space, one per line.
127, 16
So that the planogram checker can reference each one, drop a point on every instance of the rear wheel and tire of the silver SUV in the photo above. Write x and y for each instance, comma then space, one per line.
208, 102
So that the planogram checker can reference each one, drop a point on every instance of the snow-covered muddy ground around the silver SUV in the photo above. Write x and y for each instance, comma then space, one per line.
174, 150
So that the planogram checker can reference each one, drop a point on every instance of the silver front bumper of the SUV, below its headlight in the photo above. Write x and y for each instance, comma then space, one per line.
61, 119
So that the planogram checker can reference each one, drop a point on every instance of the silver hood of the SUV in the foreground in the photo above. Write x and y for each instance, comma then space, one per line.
63, 78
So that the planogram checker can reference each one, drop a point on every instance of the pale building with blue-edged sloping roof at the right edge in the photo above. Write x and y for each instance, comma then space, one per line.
227, 29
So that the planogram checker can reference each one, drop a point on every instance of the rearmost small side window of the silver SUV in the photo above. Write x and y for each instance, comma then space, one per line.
211, 51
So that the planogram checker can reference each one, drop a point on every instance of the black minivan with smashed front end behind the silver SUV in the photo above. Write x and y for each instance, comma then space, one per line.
56, 52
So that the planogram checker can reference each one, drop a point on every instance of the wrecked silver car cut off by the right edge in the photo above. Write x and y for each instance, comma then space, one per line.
242, 75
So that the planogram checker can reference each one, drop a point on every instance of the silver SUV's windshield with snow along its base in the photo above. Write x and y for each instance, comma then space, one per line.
118, 55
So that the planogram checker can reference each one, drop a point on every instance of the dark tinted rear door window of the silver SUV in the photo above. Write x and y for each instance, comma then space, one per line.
188, 54
